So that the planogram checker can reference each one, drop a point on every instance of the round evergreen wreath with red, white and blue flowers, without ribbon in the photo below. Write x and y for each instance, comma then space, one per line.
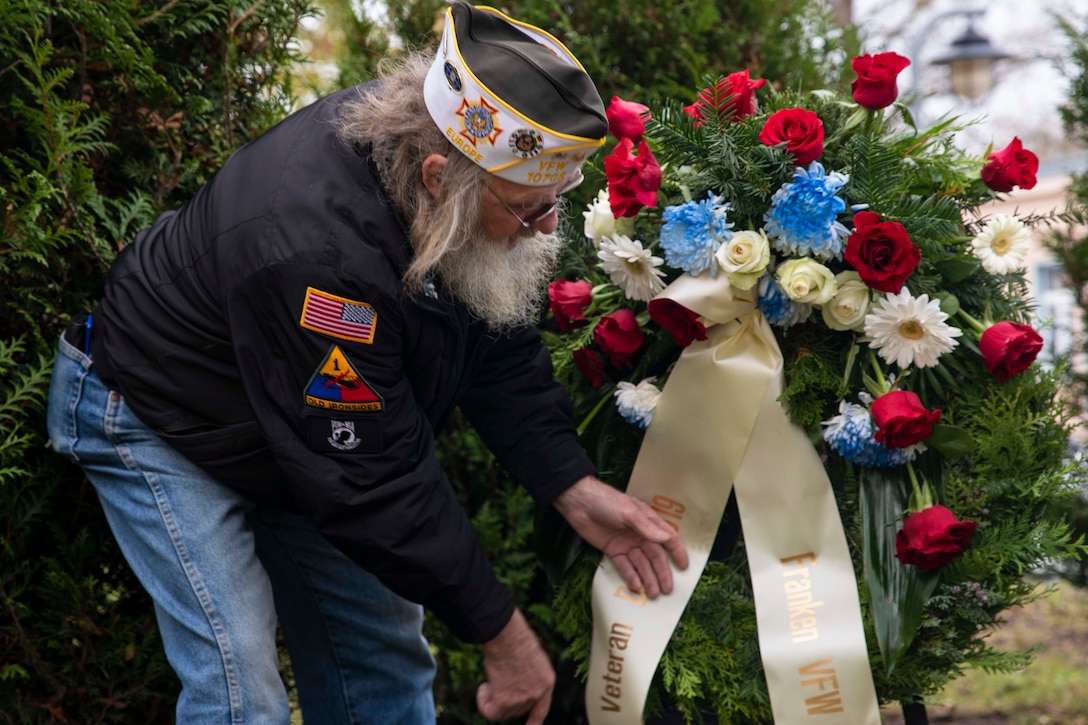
901, 312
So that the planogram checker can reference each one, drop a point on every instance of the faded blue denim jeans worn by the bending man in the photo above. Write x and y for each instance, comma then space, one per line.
220, 571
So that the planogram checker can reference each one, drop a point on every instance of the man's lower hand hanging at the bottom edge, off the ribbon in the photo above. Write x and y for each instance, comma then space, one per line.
521, 679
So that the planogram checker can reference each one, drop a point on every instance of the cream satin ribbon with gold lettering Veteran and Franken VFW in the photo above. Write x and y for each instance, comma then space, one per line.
718, 426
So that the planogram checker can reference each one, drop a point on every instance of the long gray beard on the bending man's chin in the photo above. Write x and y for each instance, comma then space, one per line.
504, 288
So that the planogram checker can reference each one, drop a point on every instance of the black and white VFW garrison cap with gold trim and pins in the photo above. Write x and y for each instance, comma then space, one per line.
513, 99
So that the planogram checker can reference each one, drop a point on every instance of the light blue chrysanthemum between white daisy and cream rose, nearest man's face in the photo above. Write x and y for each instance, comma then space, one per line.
694, 232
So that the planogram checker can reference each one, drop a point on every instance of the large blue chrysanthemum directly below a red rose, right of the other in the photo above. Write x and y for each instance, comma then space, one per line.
802, 219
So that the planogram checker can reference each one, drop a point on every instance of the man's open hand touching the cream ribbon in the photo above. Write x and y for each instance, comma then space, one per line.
628, 531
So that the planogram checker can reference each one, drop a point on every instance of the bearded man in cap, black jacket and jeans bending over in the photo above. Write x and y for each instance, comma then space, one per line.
256, 397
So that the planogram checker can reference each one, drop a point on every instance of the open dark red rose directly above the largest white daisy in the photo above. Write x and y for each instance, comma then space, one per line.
881, 252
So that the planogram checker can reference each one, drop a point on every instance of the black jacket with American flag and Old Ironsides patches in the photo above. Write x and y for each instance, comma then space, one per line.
263, 330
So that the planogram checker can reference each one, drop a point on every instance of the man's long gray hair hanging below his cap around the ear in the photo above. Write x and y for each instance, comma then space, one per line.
402, 134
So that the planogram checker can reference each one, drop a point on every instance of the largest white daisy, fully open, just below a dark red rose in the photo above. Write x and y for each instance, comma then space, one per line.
909, 330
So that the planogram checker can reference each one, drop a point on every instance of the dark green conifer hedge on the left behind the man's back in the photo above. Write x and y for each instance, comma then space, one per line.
112, 113
